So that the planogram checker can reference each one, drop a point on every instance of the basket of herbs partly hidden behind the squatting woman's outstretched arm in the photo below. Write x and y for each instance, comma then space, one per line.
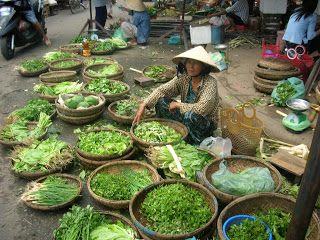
124, 111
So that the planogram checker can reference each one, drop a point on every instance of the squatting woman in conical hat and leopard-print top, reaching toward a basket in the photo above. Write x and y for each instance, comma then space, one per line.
198, 109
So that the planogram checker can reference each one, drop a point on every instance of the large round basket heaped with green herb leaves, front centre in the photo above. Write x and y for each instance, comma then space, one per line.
173, 209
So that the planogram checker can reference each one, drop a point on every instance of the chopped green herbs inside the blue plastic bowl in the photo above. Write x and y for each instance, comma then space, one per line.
248, 229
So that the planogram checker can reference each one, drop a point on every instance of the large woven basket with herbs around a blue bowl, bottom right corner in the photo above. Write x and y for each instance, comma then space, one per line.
273, 209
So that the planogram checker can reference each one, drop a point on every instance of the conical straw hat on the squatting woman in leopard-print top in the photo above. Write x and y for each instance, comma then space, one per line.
197, 53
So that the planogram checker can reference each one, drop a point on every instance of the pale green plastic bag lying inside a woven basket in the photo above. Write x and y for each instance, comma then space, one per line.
251, 180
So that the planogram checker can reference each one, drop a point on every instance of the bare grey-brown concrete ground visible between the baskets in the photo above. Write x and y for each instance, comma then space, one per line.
235, 86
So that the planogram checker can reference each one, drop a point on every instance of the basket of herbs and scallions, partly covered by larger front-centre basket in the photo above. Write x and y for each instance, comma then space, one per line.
115, 183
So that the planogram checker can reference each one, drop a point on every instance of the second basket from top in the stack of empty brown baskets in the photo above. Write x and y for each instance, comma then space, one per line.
275, 74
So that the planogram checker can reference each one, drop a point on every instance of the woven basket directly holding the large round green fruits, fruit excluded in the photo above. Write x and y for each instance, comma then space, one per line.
85, 112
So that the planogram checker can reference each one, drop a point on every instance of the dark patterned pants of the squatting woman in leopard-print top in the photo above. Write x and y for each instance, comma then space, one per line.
199, 127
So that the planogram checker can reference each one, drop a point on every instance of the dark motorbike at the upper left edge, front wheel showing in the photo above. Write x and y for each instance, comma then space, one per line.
15, 30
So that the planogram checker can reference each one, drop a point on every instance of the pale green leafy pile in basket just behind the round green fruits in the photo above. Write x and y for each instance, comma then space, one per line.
104, 85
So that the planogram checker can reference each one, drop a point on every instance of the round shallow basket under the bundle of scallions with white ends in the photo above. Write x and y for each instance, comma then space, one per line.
71, 180
